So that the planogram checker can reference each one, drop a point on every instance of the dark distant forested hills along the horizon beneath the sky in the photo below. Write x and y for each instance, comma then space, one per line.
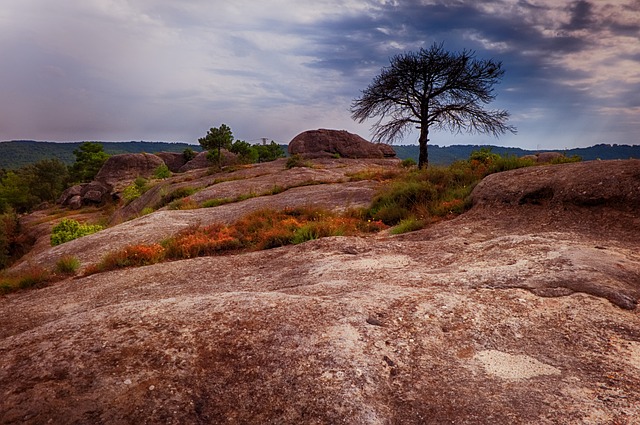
16, 154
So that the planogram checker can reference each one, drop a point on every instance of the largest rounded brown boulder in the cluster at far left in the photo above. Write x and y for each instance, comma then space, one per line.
120, 170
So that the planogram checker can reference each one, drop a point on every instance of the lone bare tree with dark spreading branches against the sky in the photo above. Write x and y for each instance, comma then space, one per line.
436, 89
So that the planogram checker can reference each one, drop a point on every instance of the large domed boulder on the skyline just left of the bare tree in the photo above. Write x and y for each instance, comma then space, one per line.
325, 143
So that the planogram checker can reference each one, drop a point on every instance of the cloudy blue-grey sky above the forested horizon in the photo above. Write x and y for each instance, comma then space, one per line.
168, 70
